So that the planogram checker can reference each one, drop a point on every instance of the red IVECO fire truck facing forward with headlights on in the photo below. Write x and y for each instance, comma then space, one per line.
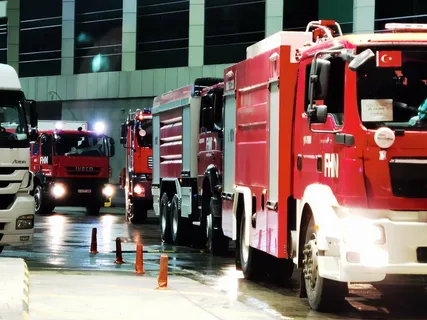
71, 167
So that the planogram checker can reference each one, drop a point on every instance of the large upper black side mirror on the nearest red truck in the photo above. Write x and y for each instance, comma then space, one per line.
319, 79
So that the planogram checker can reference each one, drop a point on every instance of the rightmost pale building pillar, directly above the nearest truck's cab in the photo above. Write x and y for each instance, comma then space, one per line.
363, 16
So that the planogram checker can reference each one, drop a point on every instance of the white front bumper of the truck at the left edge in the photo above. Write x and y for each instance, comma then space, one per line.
9, 234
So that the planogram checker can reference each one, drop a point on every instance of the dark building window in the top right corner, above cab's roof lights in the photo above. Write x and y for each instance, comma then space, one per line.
410, 11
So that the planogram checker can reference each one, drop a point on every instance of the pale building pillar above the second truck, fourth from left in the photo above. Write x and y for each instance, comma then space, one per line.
196, 27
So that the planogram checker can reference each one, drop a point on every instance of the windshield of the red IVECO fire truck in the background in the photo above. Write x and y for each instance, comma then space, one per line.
83, 145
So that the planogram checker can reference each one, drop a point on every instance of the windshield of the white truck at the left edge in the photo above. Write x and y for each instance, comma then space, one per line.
13, 125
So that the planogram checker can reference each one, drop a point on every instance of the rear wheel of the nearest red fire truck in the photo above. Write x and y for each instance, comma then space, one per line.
248, 255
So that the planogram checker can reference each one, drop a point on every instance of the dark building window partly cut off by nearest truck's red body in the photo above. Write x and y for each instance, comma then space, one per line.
230, 27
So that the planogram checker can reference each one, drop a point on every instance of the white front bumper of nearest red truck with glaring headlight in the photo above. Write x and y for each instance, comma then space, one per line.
402, 251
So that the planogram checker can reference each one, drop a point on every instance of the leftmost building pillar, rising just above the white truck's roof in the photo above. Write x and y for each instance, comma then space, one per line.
13, 26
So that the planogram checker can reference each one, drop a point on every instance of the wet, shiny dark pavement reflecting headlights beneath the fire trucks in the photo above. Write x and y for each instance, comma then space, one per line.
62, 241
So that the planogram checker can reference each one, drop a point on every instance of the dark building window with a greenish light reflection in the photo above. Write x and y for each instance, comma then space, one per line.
98, 36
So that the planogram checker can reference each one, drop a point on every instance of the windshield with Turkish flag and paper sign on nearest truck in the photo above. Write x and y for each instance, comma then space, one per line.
392, 89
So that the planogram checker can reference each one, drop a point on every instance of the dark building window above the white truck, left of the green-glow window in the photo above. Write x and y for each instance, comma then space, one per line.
40, 38
